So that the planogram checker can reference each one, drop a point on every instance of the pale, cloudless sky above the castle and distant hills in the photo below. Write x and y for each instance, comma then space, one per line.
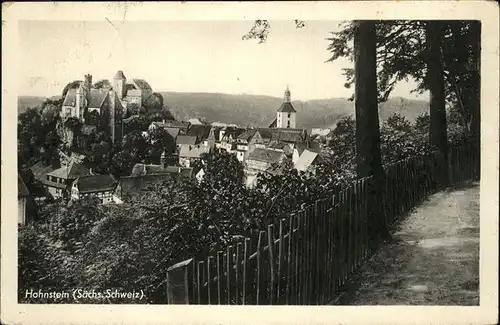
185, 56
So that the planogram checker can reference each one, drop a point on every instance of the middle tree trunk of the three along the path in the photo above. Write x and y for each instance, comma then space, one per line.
435, 78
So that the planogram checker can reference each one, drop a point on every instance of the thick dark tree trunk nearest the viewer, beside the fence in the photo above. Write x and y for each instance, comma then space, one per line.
368, 157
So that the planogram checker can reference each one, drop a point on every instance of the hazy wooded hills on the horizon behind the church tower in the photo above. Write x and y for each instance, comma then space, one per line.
256, 110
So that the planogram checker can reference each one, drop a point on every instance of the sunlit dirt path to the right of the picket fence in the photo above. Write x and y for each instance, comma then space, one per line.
433, 259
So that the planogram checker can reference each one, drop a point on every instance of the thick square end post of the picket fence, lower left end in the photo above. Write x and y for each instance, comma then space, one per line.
179, 287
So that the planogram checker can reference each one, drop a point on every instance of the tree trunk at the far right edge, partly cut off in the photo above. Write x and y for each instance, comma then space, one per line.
475, 89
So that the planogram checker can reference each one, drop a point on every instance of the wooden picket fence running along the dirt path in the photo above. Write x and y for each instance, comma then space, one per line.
308, 258
